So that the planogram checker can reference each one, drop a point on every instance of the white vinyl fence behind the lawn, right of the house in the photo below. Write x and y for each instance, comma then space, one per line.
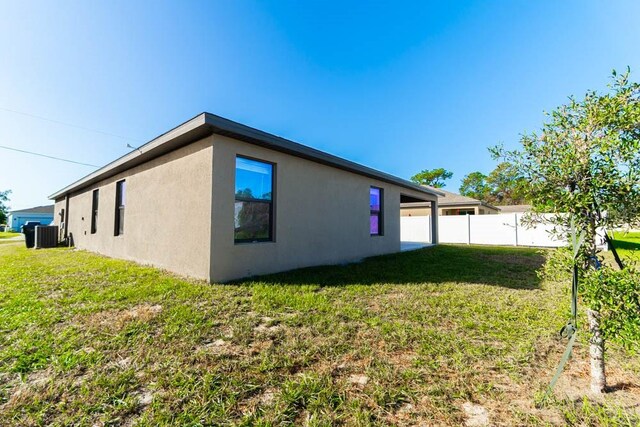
501, 229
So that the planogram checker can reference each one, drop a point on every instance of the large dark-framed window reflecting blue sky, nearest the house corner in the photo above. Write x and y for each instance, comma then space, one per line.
254, 201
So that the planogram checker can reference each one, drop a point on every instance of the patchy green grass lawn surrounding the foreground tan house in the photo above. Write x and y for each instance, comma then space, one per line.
406, 339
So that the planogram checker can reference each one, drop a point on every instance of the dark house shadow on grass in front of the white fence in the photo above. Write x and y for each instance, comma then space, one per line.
498, 266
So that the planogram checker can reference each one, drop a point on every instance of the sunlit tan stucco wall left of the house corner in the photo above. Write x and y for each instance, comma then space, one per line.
167, 213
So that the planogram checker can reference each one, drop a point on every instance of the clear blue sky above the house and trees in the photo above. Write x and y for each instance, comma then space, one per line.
398, 86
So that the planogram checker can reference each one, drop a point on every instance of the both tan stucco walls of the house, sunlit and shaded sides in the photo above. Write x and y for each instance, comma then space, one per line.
179, 214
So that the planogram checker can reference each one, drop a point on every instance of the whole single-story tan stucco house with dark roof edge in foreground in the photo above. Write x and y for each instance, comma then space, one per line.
218, 200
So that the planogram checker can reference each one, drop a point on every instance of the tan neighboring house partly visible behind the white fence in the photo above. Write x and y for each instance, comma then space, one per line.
450, 204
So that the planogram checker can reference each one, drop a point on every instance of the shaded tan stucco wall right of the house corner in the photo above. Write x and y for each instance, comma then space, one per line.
321, 215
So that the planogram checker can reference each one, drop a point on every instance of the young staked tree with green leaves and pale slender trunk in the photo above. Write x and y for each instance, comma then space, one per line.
586, 163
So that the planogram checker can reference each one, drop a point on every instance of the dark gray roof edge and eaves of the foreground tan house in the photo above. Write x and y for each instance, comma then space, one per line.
206, 124
